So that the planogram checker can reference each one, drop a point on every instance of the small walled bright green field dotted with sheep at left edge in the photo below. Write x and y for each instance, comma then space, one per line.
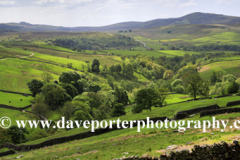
15, 99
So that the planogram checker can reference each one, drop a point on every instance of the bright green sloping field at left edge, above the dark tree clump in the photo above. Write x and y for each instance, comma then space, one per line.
15, 73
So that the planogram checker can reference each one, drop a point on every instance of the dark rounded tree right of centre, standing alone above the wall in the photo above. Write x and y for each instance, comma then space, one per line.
145, 98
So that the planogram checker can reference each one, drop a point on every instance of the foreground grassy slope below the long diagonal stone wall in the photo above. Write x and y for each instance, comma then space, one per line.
115, 144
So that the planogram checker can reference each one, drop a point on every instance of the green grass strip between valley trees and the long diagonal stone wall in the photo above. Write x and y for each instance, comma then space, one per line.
169, 111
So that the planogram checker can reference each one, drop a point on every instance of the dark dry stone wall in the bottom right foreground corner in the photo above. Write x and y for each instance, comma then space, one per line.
221, 151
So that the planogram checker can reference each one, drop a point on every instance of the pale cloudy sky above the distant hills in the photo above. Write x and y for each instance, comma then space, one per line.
73, 13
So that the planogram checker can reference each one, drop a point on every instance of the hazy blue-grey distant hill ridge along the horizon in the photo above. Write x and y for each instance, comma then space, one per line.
193, 18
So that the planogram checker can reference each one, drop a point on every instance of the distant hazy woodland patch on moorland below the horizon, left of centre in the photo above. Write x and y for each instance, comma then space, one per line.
96, 42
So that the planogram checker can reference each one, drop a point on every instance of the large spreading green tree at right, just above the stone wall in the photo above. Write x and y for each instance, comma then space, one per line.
195, 85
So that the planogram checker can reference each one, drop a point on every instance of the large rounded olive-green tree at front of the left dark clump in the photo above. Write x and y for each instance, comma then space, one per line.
54, 95
